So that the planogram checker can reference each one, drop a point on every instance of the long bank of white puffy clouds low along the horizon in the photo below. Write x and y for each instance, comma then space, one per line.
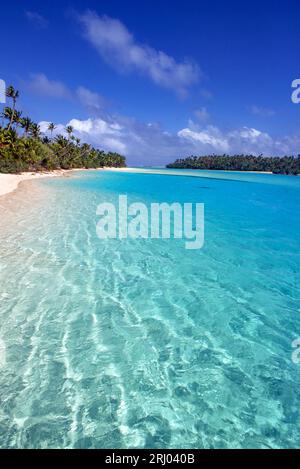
150, 144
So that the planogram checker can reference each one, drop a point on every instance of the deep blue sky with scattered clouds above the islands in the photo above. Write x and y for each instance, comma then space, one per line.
157, 80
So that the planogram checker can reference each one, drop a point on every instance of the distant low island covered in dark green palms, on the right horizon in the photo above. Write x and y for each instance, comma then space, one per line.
276, 165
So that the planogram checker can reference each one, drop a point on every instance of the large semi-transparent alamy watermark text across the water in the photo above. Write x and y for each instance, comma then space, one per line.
162, 221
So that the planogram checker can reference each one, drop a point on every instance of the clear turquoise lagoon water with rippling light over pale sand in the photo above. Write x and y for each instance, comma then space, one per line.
142, 343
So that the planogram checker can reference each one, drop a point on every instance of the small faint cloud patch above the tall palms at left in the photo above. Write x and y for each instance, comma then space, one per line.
40, 84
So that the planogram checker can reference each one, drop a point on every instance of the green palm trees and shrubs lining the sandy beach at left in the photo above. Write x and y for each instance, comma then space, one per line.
24, 148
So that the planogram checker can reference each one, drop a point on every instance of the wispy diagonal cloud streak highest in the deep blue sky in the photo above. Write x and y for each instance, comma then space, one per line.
118, 47
